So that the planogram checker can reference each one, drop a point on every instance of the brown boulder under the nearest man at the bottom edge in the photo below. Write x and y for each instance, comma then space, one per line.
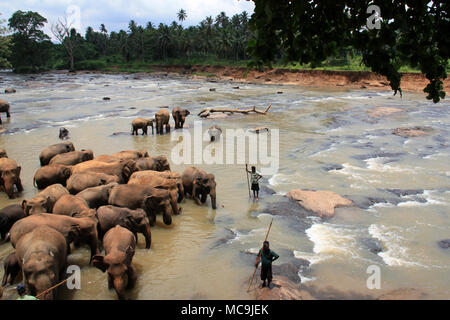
281, 289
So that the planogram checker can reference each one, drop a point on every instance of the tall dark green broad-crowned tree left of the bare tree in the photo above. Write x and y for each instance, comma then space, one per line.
30, 45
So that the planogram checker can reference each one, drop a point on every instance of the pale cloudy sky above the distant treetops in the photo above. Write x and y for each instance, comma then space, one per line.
116, 14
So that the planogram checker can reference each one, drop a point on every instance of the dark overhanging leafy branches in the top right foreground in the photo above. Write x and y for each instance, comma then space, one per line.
412, 33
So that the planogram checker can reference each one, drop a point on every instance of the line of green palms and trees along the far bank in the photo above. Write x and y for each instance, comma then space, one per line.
29, 49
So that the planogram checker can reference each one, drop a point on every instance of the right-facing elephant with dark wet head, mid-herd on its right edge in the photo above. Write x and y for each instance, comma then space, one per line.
152, 200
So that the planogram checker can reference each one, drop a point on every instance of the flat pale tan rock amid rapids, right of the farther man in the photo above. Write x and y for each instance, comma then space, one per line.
320, 202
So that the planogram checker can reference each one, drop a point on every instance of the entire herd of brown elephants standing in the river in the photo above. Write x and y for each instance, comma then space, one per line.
100, 201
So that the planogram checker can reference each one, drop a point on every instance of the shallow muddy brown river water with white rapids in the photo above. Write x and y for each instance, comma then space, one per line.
327, 141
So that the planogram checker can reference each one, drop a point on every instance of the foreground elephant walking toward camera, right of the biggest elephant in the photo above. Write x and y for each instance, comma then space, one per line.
119, 244
